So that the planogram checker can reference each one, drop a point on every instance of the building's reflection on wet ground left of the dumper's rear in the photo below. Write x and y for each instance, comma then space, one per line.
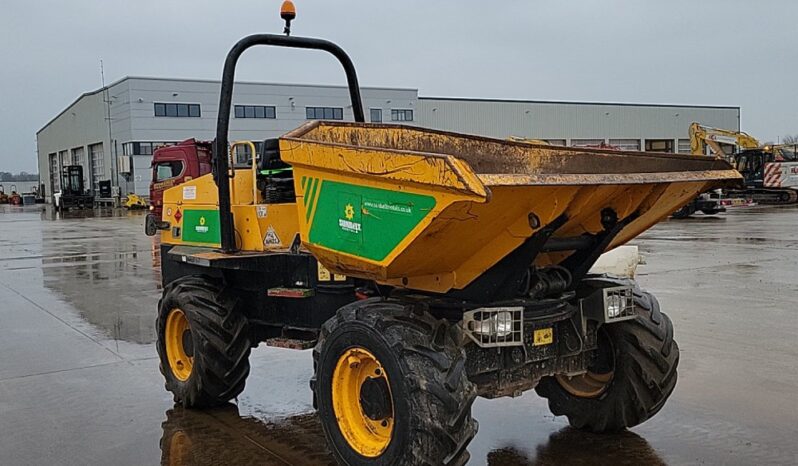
106, 268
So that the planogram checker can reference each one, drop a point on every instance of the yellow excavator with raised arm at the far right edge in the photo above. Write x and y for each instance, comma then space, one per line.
770, 172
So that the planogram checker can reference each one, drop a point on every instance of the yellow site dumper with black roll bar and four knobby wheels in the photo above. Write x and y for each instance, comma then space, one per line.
425, 269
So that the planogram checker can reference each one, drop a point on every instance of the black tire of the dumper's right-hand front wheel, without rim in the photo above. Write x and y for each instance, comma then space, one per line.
645, 360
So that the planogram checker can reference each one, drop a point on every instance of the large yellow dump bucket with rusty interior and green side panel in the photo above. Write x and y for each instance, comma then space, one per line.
431, 210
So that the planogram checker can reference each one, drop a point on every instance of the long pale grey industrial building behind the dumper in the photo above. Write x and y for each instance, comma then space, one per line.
112, 131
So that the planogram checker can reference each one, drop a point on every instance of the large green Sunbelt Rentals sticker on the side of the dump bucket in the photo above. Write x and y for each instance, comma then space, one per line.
365, 222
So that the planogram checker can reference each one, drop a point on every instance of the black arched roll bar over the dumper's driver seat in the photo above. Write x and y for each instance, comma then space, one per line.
220, 160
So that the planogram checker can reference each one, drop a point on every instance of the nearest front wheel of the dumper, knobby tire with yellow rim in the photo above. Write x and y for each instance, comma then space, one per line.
426, 414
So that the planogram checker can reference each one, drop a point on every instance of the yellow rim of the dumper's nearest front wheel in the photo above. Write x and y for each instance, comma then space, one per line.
368, 434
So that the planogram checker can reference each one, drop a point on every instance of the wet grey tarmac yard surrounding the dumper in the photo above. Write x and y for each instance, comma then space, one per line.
79, 379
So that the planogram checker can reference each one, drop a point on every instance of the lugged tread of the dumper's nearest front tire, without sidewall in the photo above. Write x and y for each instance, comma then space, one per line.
441, 394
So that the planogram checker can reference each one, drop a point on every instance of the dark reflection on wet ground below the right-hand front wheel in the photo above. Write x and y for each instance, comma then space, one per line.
574, 447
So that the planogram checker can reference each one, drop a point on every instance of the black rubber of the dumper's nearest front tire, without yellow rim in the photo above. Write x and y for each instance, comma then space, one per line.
429, 388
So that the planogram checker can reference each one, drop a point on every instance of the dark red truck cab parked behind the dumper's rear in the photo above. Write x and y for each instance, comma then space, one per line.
173, 165
